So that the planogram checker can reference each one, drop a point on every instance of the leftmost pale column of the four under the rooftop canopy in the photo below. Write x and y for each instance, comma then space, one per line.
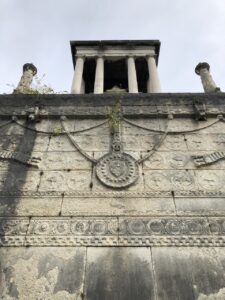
78, 76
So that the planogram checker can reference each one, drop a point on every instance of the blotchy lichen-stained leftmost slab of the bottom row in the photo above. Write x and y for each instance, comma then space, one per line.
41, 277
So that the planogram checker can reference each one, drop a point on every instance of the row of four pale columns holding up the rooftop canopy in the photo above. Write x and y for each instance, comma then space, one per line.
153, 84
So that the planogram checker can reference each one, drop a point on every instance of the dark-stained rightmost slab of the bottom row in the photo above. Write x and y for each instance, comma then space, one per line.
187, 273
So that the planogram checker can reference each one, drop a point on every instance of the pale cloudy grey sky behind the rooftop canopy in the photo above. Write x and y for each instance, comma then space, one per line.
39, 31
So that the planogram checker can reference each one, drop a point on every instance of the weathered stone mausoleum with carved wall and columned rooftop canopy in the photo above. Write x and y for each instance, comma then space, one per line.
117, 190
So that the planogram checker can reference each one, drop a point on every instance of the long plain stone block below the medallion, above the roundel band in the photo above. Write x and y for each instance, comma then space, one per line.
117, 206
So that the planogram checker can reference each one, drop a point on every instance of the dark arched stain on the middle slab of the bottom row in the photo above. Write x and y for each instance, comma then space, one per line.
119, 275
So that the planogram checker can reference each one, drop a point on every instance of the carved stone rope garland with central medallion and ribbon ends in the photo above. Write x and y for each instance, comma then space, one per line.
115, 169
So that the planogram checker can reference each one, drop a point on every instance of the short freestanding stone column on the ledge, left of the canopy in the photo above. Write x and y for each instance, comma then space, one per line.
24, 86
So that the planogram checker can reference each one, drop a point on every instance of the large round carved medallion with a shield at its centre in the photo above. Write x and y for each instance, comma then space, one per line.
117, 170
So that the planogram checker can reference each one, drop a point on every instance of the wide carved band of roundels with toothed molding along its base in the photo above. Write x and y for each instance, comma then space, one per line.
112, 232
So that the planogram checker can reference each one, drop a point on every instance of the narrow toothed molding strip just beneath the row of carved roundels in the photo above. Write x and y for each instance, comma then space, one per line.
184, 241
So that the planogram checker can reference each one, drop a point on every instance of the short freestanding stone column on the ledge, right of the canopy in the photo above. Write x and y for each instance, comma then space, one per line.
202, 69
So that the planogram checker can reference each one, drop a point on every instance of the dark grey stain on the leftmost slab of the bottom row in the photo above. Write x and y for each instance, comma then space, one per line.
70, 272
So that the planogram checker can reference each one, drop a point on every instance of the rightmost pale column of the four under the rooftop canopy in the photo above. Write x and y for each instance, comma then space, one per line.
153, 84
